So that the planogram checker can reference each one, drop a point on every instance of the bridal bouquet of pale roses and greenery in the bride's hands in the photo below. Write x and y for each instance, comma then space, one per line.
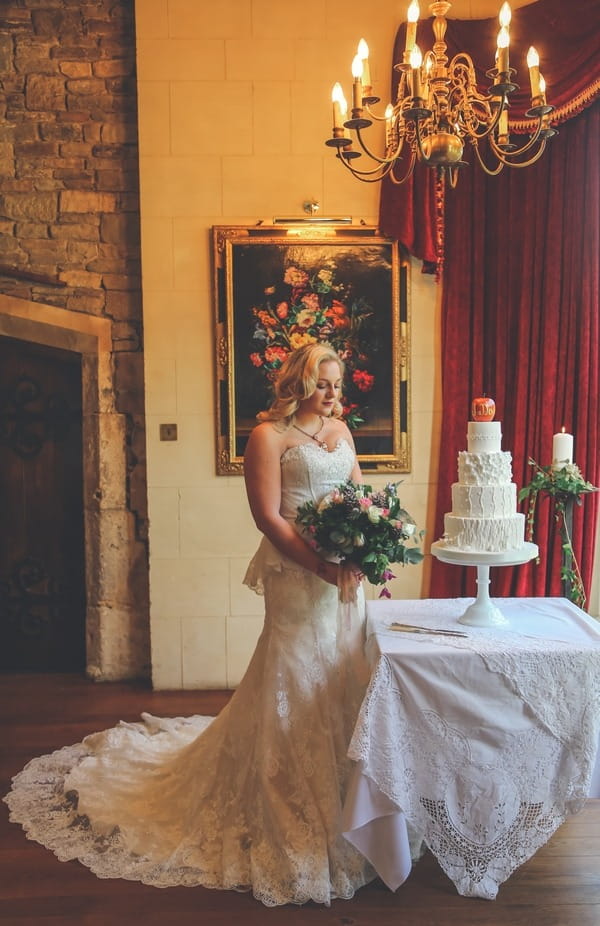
363, 526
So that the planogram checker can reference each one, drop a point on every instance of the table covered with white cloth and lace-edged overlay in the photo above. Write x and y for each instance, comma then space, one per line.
477, 747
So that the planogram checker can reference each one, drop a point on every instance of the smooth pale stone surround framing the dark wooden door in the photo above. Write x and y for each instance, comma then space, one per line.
117, 619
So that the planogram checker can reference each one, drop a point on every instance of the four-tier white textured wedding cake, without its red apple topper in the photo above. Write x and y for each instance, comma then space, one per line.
484, 516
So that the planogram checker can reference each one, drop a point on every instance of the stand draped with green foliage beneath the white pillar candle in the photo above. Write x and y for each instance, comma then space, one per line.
565, 485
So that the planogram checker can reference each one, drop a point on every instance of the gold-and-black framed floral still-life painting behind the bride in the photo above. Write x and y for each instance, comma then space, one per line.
278, 287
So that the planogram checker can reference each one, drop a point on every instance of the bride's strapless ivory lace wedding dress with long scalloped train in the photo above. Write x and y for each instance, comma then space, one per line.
250, 800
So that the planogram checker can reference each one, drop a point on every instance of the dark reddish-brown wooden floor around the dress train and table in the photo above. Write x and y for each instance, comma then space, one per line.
560, 886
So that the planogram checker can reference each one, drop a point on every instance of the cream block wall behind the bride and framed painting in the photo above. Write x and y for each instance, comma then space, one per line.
233, 110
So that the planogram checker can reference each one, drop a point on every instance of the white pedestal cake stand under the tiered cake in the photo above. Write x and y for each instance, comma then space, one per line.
483, 612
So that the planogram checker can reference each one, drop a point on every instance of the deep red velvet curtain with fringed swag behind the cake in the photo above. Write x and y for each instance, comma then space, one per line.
520, 293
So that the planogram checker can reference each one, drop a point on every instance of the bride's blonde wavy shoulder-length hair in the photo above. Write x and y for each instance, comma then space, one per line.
297, 380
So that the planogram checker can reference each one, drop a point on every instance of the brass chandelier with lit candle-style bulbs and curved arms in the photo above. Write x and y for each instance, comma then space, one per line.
439, 109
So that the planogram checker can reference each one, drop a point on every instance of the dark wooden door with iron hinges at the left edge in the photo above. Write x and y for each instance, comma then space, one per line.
42, 562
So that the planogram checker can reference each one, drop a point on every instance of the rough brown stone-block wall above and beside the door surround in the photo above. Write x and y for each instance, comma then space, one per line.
69, 205
